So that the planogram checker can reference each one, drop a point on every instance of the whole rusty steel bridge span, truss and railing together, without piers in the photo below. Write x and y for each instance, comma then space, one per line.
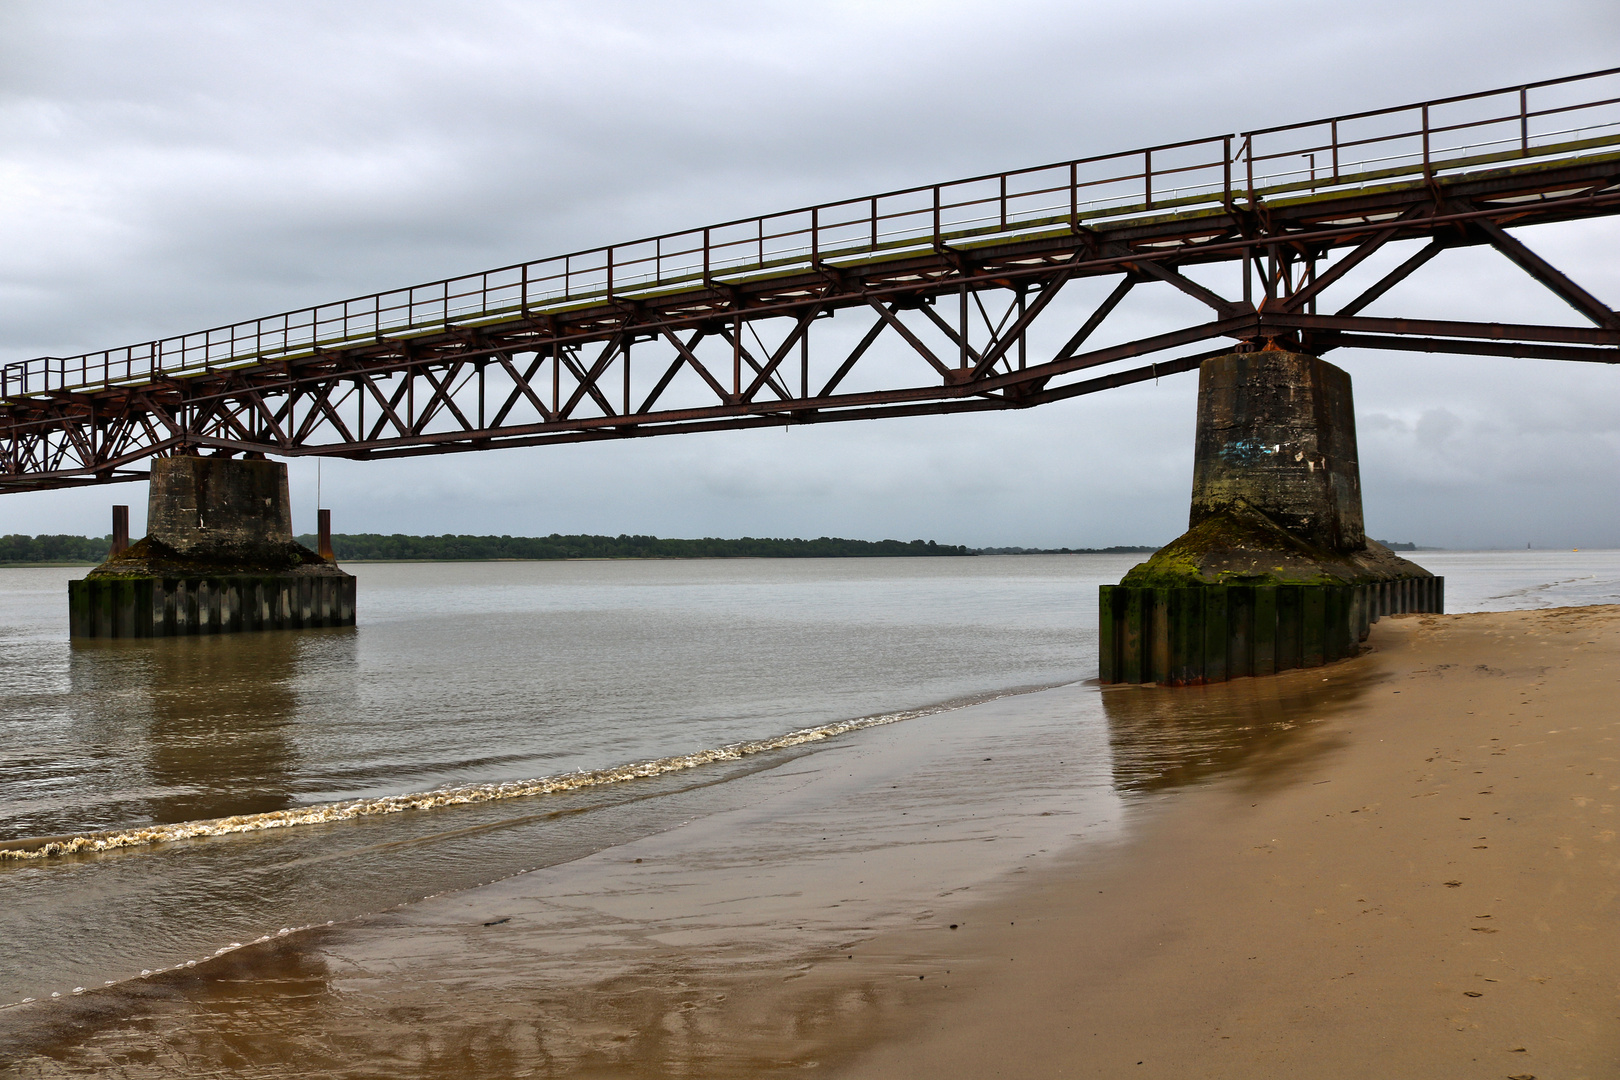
717, 328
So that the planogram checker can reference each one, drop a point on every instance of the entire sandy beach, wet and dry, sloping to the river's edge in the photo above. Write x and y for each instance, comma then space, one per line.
1399, 865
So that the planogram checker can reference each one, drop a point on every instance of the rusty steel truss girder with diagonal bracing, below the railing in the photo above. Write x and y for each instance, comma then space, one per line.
433, 394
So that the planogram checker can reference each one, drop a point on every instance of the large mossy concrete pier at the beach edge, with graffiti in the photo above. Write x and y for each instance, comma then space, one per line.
1276, 569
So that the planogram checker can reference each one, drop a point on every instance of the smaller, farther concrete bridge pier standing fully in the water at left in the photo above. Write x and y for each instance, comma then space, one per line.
220, 558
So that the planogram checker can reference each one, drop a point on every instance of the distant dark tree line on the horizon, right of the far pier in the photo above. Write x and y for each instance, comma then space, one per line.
375, 546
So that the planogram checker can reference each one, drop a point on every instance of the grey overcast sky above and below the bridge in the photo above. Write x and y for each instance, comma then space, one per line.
174, 166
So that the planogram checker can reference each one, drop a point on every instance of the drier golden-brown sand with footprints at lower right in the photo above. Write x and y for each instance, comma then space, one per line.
1436, 899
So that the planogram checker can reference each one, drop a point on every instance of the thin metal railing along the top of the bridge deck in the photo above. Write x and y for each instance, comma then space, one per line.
1550, 121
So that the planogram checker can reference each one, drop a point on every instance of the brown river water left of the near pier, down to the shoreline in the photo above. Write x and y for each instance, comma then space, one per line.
458, 676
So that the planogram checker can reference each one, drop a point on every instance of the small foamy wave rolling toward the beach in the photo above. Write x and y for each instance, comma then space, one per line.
113, 840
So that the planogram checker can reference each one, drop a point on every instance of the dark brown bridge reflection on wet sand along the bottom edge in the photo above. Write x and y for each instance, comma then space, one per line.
288, 1010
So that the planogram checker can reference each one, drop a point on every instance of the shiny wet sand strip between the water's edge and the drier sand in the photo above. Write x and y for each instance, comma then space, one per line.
735, 950
